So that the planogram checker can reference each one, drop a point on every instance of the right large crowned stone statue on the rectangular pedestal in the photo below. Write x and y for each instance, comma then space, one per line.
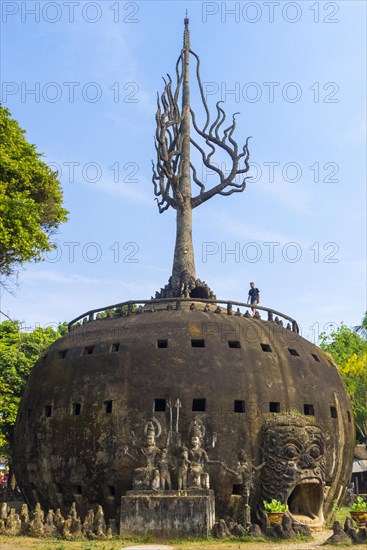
198, 478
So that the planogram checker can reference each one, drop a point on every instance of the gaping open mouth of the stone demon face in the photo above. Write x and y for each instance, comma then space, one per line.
306, 502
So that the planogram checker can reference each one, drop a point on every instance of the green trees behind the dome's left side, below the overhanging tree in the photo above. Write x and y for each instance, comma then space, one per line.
19, 351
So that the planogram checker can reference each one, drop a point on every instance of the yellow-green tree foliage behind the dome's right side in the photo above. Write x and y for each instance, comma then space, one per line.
348, 349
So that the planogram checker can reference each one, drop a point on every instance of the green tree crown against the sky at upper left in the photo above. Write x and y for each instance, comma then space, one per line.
30, 199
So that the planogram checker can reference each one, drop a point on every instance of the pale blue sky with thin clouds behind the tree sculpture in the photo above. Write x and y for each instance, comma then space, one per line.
81, 78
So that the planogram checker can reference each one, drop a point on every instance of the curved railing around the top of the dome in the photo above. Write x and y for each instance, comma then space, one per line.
134, 307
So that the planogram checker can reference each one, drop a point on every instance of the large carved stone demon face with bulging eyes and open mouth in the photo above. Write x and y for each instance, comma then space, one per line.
294, 470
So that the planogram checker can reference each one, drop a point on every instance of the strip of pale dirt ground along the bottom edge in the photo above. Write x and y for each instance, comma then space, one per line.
26, 543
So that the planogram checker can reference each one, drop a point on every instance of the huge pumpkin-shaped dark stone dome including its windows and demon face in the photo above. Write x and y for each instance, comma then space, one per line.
249, 386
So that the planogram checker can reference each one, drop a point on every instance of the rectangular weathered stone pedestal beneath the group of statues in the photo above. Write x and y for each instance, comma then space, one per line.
166, 514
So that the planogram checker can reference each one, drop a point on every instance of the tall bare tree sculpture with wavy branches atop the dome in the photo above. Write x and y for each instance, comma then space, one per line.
173, 170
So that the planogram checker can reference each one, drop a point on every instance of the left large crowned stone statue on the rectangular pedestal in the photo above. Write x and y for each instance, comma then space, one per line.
147, 476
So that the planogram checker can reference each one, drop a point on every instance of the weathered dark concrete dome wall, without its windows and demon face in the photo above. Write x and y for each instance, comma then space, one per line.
66, 457
